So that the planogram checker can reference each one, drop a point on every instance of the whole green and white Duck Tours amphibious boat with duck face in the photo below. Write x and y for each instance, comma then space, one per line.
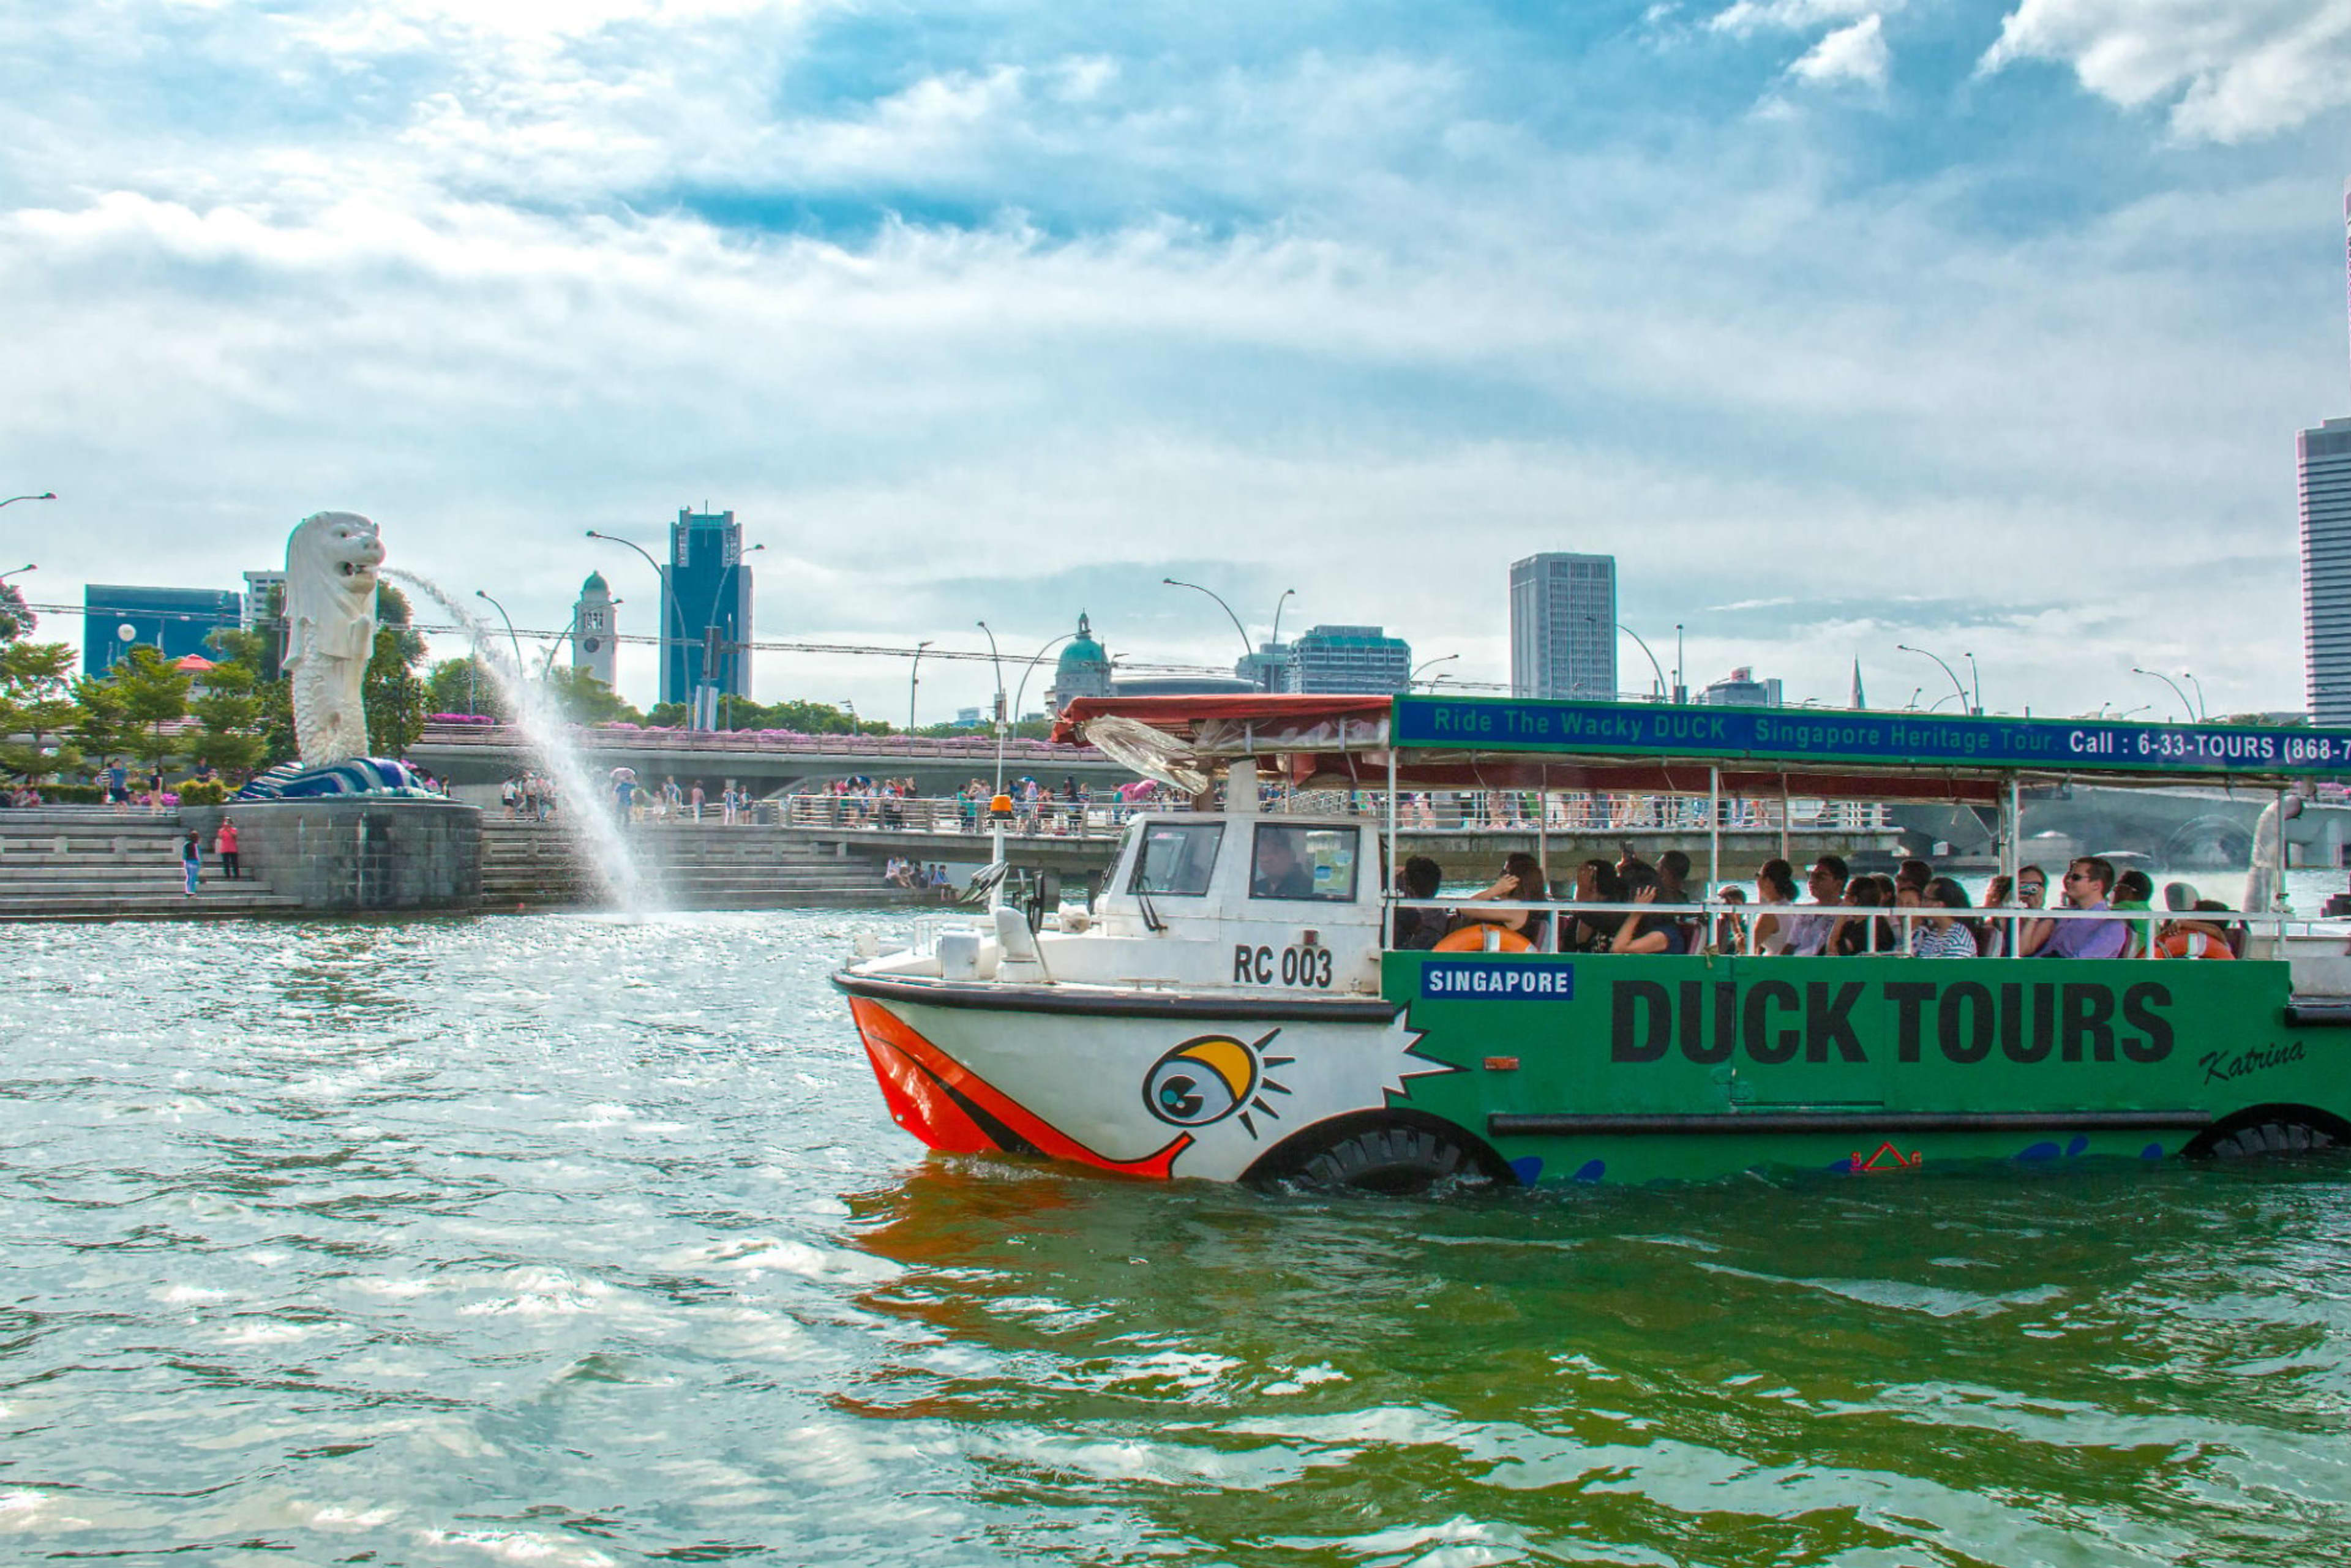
1231, 1007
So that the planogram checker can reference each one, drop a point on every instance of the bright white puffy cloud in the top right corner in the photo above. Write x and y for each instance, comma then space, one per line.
2230, 72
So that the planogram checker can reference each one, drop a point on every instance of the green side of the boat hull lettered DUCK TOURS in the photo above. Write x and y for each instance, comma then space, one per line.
1694, 1068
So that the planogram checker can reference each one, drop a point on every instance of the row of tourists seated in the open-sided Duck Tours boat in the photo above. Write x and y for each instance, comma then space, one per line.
1849, 916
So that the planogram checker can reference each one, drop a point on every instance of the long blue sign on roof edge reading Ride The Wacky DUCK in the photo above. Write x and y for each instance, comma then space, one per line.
1826, 735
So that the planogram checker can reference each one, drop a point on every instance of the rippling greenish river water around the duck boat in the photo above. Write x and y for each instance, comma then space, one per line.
575, 1242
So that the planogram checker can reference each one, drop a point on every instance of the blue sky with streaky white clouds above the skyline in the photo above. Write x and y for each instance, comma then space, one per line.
1974, 326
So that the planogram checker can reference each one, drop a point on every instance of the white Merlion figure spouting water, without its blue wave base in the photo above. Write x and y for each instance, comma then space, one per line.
330, 634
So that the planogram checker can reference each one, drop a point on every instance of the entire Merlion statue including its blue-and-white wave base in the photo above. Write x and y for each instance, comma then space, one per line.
330, 636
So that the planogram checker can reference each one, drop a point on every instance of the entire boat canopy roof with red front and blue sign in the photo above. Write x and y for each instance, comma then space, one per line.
1527, 744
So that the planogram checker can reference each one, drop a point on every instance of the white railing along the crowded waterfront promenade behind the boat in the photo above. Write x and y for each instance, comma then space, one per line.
1424, 812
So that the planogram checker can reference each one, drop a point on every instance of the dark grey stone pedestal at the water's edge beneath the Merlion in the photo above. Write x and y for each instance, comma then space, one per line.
347, 855
